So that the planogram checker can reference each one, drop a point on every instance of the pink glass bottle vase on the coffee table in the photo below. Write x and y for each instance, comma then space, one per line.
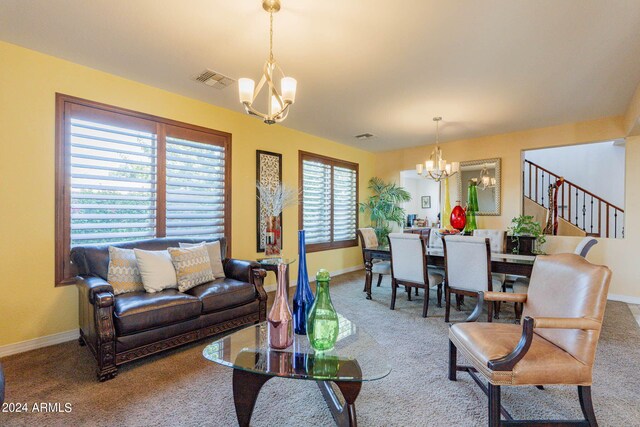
280, 319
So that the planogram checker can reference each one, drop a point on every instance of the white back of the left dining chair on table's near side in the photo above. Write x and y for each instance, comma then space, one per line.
408, 257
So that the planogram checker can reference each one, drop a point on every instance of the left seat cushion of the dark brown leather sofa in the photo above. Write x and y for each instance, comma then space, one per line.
139, 311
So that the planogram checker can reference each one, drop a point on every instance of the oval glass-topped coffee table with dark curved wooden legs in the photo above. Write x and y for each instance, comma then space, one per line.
356, 358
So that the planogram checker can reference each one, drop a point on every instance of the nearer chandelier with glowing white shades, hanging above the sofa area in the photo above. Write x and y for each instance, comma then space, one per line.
278, 101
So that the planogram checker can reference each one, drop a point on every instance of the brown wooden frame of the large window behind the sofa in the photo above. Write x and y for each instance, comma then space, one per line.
64, 271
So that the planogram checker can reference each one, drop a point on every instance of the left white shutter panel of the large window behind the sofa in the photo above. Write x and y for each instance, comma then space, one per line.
113, 183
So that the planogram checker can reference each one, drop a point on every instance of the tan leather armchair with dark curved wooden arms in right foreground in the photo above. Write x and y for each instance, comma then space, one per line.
556, 344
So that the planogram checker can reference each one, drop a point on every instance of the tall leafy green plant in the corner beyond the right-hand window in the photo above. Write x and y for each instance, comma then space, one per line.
384, 206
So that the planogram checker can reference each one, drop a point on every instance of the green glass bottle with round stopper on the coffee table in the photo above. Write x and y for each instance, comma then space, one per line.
322, 322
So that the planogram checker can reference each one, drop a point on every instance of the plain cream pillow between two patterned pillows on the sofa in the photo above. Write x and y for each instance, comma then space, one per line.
156, 270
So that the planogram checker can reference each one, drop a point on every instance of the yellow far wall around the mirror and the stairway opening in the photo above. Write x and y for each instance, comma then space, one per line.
619, 254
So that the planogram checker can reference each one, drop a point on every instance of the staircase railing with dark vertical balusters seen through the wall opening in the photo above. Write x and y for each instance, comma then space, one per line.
577, 207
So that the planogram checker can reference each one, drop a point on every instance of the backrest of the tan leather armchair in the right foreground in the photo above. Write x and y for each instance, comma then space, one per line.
567, 285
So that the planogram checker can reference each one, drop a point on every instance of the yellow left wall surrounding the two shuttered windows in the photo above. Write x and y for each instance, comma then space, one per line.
30, 305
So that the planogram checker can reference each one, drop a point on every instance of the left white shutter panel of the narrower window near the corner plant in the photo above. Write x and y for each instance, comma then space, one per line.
316, 199
